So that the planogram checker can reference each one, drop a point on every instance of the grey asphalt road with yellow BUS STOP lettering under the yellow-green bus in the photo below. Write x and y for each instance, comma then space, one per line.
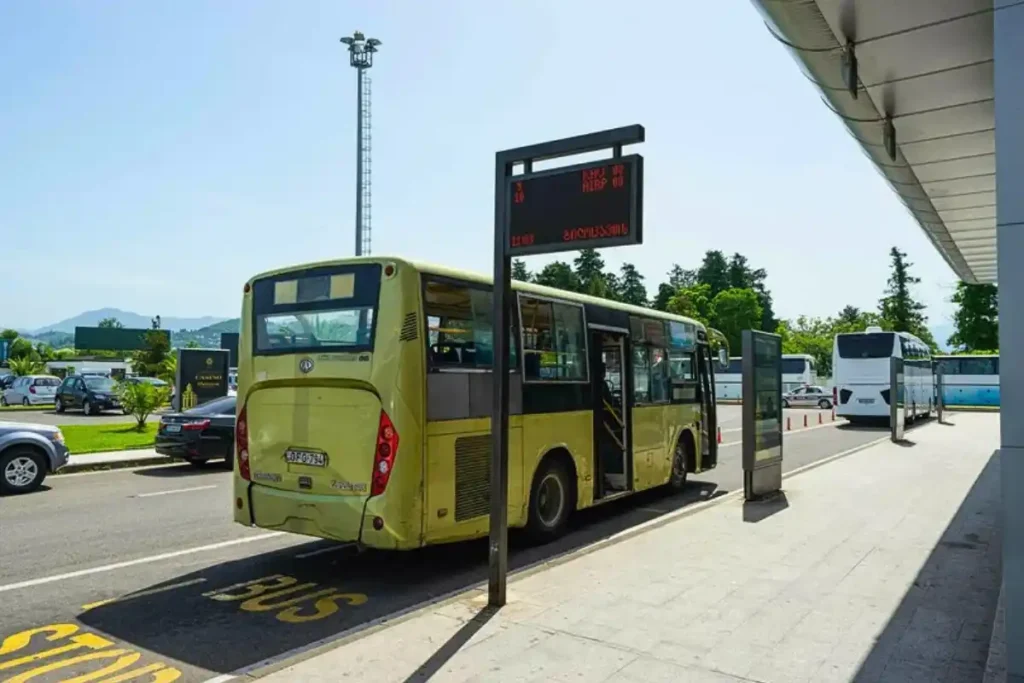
150, 562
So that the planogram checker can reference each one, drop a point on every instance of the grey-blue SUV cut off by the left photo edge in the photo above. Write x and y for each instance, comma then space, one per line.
28, 454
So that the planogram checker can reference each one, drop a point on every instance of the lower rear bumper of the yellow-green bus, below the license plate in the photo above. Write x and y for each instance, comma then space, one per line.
340, 519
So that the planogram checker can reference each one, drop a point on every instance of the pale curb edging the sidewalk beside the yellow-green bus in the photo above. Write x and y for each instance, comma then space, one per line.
272, 666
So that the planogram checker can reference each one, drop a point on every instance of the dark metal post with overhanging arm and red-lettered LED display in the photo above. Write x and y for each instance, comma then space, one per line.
592, 205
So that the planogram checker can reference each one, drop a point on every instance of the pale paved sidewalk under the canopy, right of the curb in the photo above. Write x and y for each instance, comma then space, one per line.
883, 566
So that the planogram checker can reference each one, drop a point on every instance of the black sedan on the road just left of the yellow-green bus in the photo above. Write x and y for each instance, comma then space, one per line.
200, 435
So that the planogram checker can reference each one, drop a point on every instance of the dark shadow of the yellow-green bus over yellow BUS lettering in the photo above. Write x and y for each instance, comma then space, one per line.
236, 616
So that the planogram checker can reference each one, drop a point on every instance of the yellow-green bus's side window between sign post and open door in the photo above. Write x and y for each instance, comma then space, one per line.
554, 347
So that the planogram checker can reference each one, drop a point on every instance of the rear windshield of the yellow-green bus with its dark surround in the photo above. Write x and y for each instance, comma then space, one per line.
331, 309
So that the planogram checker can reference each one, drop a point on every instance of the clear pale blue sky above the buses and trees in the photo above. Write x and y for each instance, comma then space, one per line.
155, 155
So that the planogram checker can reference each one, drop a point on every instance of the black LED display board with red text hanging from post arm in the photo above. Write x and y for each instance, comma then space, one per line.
592, 205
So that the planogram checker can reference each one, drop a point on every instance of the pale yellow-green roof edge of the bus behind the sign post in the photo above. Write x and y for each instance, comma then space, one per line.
446, 272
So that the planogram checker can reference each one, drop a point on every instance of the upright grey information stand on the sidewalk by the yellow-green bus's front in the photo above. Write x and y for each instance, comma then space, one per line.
762, 379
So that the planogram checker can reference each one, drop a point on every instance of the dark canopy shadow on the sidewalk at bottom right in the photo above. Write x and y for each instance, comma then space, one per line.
942, 630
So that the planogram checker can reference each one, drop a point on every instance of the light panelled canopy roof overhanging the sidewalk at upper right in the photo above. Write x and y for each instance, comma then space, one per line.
929, 66
